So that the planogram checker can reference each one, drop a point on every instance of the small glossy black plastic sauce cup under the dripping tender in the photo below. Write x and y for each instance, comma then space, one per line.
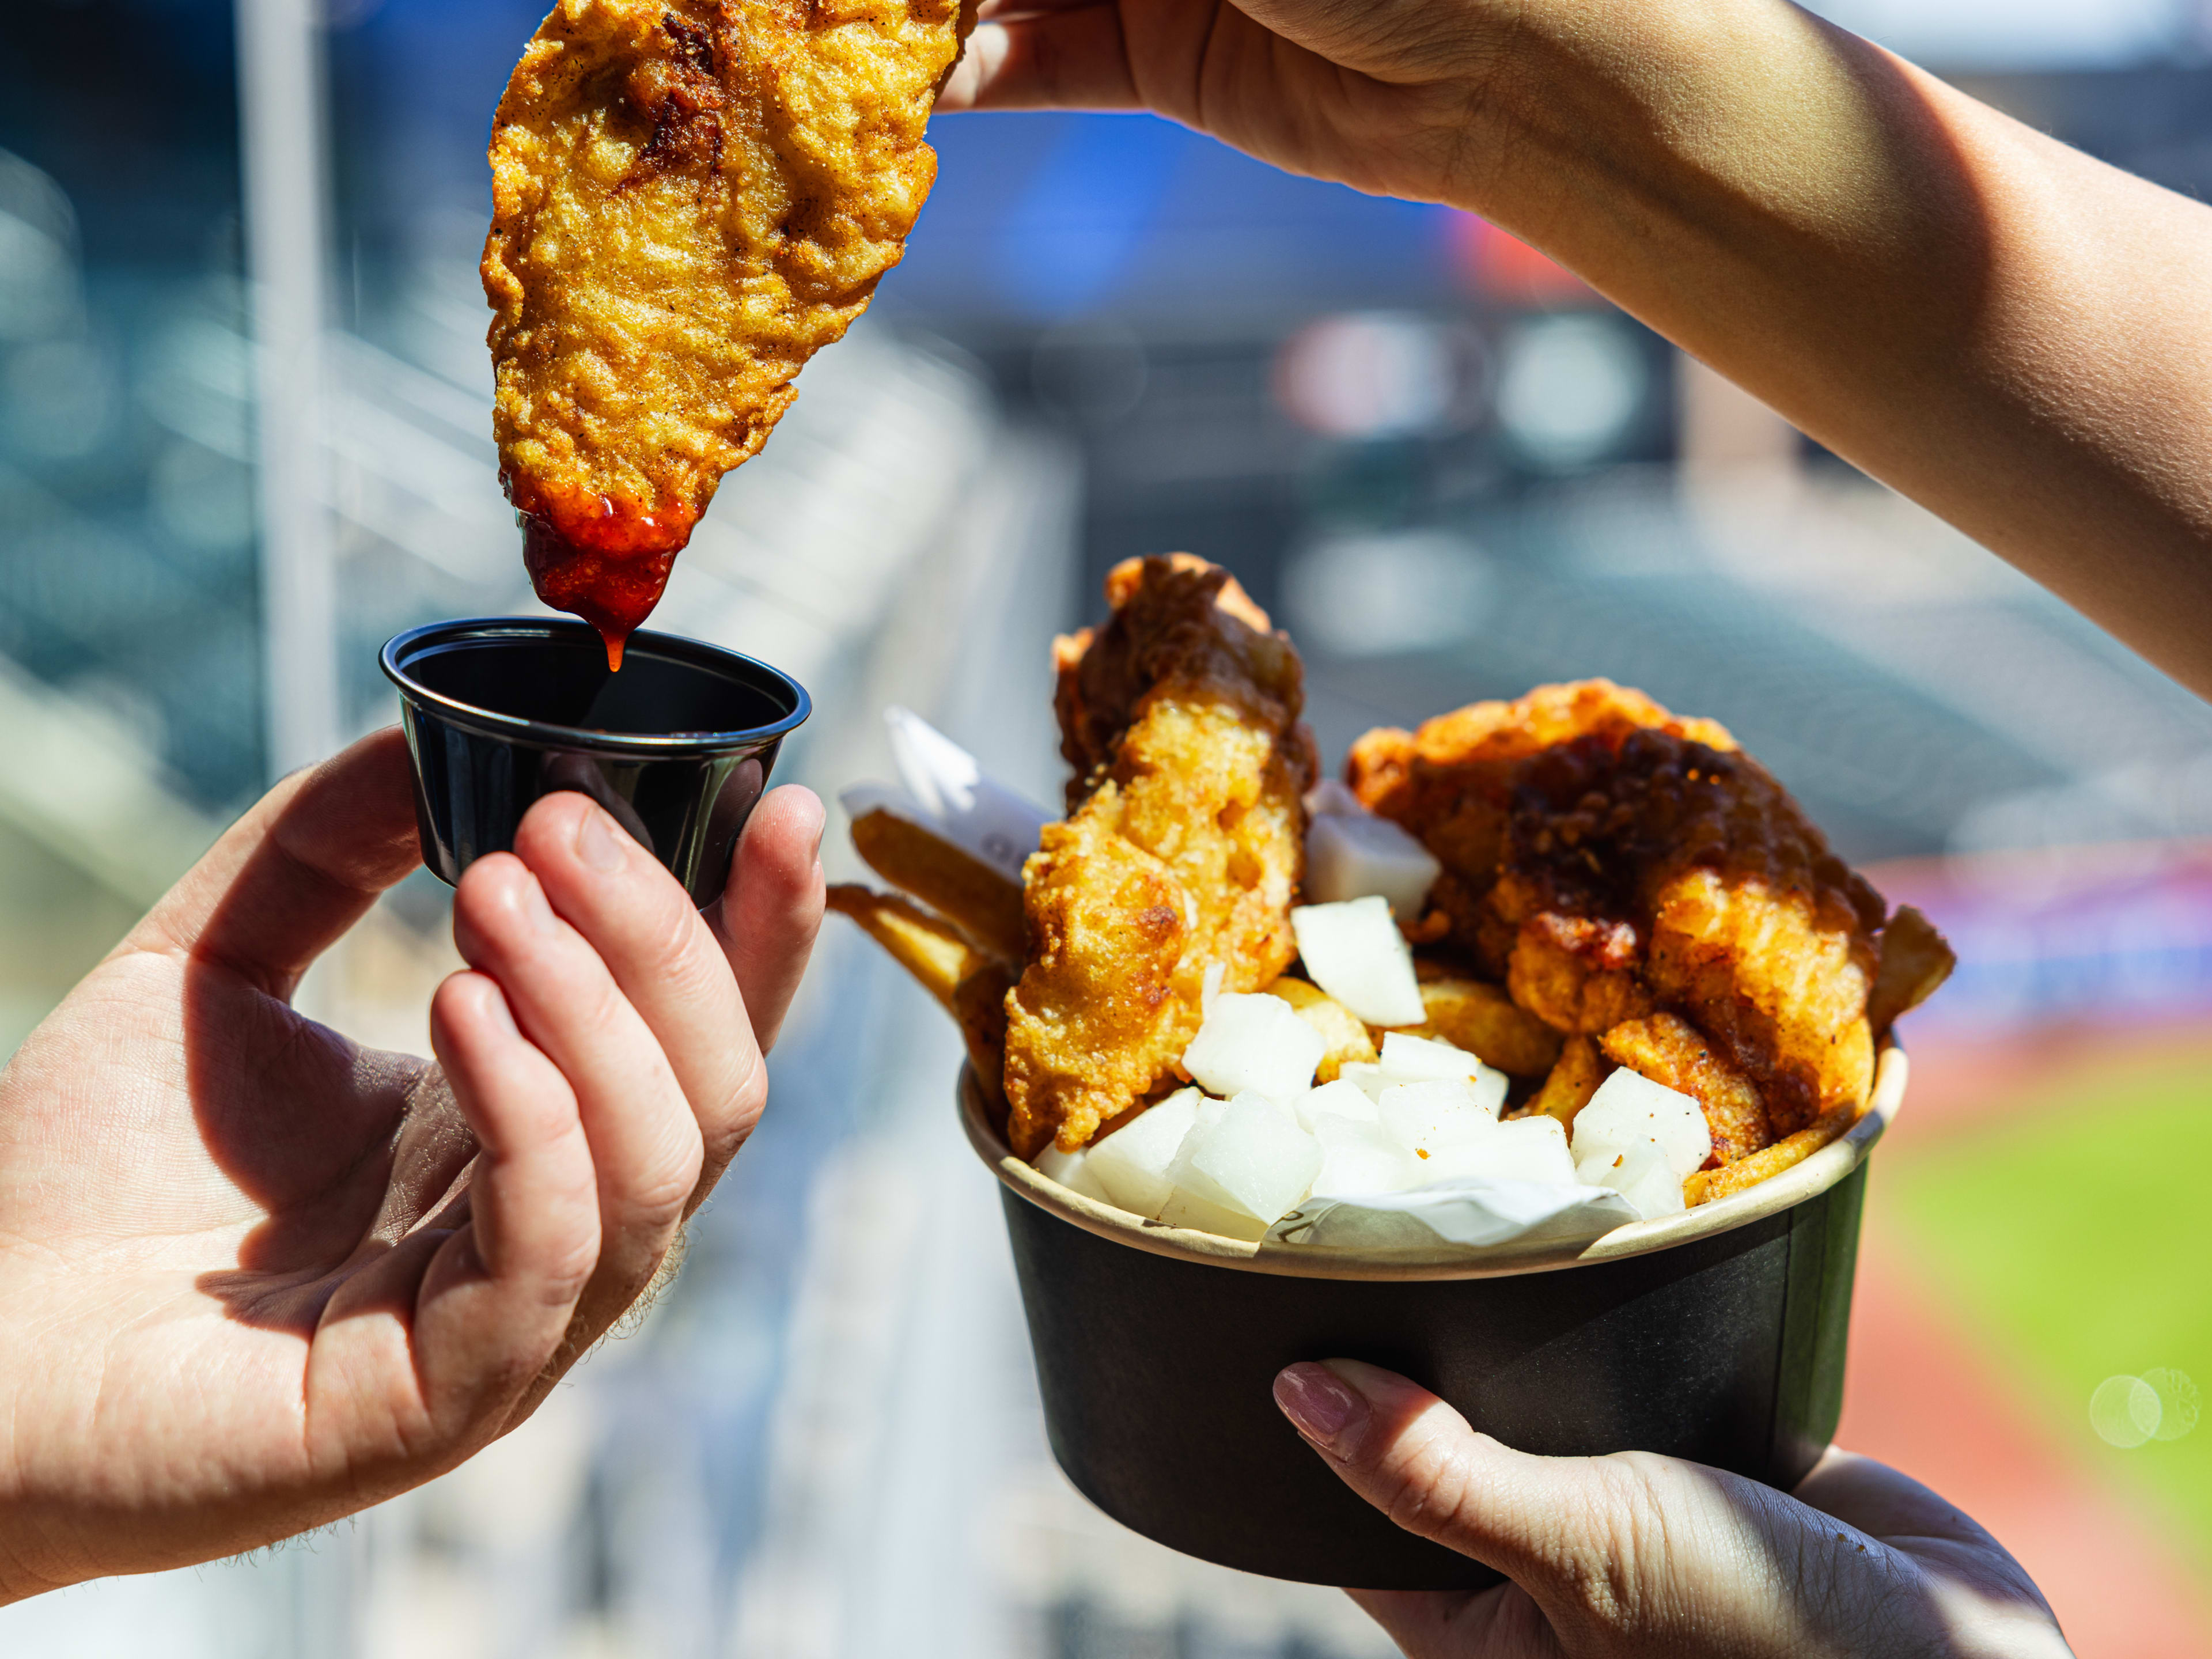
501, 711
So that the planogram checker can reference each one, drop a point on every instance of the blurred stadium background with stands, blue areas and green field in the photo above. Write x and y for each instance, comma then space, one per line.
244, 435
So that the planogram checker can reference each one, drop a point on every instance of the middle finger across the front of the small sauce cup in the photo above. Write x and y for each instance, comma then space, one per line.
662, 957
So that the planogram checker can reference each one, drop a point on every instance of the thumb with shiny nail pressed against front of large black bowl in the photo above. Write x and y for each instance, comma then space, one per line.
1563, 1530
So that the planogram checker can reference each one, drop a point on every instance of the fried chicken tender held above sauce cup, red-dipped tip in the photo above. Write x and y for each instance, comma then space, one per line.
691, 198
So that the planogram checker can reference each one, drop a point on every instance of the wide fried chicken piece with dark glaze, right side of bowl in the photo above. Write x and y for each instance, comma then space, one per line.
1636, 873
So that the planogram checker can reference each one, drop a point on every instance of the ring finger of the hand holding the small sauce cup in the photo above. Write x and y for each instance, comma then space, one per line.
645, 1142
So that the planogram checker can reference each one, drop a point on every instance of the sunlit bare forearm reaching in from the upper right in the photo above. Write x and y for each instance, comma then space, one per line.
1976, 315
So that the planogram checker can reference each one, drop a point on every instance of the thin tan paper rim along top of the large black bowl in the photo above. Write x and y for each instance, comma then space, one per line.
1768, 1198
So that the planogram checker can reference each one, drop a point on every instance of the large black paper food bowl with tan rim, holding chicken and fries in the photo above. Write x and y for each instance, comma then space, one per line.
1715, 1335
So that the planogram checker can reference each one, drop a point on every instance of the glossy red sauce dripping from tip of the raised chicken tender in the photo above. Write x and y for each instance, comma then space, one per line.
598, 559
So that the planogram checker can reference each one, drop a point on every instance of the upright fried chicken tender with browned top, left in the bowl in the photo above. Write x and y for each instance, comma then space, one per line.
1182, 851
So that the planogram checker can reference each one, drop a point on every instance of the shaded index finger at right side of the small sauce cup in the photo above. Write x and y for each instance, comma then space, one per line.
773, 906
